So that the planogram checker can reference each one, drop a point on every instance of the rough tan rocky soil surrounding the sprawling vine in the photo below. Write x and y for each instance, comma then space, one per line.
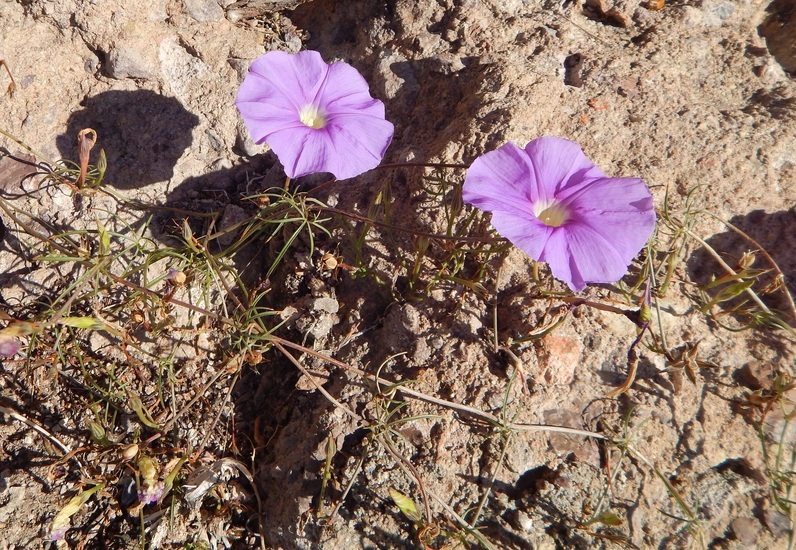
696, 98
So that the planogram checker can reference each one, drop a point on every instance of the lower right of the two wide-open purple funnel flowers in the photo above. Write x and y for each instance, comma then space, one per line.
558, 207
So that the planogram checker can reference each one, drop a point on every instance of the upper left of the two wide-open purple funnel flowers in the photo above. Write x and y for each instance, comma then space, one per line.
316, 117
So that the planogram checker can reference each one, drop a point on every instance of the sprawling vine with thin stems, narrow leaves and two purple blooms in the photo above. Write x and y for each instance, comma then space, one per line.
124, 320
